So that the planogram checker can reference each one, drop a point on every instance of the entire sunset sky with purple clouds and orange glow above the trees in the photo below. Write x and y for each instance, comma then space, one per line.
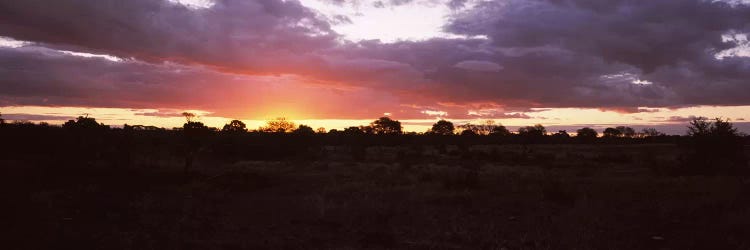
338, 63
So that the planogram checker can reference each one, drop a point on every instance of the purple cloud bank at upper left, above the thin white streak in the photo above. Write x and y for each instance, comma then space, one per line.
234, 35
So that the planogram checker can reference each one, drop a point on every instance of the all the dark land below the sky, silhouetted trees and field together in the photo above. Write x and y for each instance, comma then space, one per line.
87, 186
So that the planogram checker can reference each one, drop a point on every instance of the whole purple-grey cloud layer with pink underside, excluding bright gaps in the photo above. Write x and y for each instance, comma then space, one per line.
608, 54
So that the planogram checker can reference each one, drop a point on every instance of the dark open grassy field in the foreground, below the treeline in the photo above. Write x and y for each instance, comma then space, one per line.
398, 197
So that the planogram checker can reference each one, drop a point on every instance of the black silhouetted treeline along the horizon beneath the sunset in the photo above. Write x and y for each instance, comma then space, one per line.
86, 142
